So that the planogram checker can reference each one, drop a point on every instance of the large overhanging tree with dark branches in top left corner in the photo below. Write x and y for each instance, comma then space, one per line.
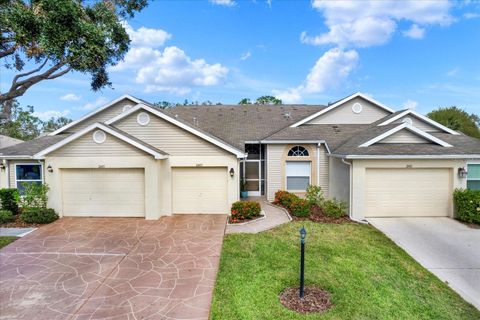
58, 36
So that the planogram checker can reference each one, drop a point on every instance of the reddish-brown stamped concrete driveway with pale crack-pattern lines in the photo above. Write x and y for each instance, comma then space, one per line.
113, 268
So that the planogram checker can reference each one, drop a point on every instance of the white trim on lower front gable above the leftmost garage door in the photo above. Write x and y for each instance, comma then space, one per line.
41, 154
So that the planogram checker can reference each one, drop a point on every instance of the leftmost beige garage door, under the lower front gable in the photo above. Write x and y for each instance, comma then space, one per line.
103, 192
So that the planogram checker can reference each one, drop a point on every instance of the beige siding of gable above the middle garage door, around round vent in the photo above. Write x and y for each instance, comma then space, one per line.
168, 137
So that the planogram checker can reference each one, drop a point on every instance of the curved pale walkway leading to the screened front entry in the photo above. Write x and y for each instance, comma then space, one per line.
274, 216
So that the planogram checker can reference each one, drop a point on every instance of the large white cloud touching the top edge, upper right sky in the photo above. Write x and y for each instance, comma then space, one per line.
369, 23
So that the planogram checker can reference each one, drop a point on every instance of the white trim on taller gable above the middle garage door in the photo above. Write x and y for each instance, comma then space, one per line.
182, 125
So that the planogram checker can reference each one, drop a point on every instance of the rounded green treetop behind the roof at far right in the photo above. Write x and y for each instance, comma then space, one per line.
457, 119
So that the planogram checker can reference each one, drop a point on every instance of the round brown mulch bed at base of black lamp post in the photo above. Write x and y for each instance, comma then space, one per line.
314, 300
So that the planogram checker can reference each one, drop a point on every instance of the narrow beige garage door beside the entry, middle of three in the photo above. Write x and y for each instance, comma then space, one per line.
200, 190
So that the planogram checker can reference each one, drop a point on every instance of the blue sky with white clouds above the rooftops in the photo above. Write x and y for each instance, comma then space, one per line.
418, 54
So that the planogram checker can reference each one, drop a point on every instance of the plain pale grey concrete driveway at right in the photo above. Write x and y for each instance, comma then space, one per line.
447, 248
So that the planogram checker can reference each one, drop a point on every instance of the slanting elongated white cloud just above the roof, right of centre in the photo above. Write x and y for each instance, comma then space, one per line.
330, 70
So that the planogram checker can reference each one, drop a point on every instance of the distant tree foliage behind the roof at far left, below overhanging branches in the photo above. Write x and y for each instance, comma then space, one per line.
24, 125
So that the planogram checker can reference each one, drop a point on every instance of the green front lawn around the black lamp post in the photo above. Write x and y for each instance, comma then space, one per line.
368, 276
